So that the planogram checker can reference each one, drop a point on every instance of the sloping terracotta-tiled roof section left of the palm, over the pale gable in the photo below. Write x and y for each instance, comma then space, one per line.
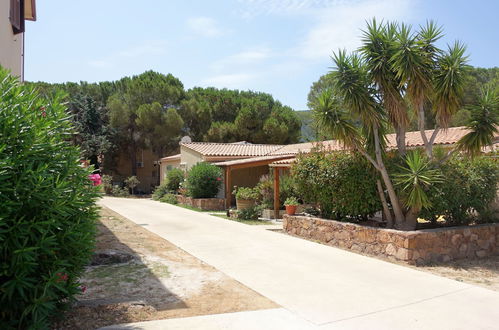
231, 149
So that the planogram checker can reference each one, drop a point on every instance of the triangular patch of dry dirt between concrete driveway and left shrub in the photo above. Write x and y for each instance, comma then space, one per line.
158, 281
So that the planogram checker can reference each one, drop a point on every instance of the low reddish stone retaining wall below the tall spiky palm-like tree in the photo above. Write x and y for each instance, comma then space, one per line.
414, 247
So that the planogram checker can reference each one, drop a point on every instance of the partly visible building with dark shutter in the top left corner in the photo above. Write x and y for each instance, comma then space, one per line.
13, 14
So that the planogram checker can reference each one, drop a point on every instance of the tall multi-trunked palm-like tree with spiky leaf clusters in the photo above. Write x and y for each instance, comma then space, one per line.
369, 88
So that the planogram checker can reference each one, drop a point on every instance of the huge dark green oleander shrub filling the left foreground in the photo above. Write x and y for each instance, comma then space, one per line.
47, 214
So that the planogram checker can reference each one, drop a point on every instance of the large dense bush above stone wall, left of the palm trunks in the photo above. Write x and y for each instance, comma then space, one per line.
342, 184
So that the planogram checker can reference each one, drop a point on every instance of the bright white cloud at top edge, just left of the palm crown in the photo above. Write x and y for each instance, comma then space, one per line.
339, 26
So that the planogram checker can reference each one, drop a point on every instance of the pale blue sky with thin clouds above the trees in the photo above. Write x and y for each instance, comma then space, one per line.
274, 46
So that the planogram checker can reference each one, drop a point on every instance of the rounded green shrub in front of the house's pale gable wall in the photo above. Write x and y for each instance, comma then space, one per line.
204, 180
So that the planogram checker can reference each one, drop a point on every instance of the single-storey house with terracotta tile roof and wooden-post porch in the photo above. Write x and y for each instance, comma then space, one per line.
245, 163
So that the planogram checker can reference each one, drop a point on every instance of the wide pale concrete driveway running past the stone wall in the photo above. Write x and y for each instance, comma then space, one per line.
323, 287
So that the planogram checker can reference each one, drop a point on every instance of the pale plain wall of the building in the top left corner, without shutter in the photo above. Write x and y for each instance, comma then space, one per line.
11, 46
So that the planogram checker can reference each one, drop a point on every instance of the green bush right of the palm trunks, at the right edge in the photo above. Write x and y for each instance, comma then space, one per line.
465, 193
